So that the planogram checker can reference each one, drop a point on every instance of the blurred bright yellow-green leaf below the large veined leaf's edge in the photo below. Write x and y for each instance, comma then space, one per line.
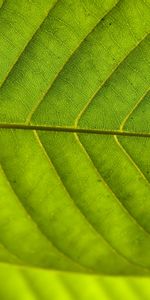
42, 285
